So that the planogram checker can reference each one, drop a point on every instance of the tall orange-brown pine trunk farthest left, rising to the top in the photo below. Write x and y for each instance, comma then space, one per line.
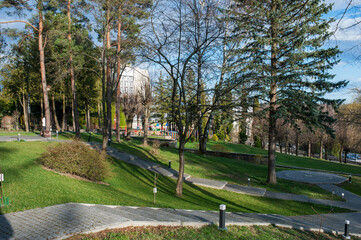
42, 72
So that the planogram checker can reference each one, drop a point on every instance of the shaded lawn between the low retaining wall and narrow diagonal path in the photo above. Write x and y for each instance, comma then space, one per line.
217, 168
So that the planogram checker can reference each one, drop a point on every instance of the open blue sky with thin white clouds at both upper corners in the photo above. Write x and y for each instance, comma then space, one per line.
348, 40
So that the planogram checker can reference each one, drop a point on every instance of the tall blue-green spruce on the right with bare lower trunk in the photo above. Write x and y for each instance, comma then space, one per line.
283, 57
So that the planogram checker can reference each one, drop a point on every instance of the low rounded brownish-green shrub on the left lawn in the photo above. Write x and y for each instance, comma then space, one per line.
78, 159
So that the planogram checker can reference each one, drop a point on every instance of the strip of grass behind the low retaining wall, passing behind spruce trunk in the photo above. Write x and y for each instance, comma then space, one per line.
282, 158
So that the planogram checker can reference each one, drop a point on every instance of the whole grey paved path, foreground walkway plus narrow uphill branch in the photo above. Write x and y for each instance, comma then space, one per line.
59, 221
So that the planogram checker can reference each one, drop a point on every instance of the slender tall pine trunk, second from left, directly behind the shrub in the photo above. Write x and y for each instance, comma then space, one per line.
72, 78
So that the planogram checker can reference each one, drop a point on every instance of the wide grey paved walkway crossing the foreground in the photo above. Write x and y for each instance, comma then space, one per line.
60, 221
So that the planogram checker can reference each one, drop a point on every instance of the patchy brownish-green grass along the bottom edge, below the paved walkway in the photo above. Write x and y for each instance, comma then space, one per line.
207, 233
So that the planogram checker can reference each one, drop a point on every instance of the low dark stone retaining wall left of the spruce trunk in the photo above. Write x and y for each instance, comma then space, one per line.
252, 158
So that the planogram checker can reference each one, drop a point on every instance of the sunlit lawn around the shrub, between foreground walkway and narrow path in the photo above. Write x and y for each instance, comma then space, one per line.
30, 186
